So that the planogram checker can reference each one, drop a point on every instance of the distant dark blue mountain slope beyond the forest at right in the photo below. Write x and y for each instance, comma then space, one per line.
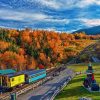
90, 31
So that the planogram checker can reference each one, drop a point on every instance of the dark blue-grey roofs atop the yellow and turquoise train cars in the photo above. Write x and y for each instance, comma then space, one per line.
29, 73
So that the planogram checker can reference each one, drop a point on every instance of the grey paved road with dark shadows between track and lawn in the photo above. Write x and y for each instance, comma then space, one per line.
45, 91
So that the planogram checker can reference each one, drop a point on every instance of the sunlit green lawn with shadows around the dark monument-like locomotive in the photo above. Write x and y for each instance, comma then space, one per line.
74, 90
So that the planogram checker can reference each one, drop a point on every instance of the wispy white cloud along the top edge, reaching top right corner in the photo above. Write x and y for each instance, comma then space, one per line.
62, 4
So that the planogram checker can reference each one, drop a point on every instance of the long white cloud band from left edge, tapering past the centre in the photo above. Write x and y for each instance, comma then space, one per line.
29, 17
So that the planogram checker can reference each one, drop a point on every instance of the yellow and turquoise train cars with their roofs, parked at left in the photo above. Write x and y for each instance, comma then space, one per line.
10, 78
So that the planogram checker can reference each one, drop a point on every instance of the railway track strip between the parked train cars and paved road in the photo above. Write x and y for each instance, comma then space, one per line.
27, 87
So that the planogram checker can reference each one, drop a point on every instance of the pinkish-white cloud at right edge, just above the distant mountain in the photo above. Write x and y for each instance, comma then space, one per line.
91, 22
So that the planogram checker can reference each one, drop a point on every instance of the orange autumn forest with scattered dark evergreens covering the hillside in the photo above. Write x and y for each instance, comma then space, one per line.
33, 49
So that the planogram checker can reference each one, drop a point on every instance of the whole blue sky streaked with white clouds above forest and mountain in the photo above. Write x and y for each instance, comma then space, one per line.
57, 15
